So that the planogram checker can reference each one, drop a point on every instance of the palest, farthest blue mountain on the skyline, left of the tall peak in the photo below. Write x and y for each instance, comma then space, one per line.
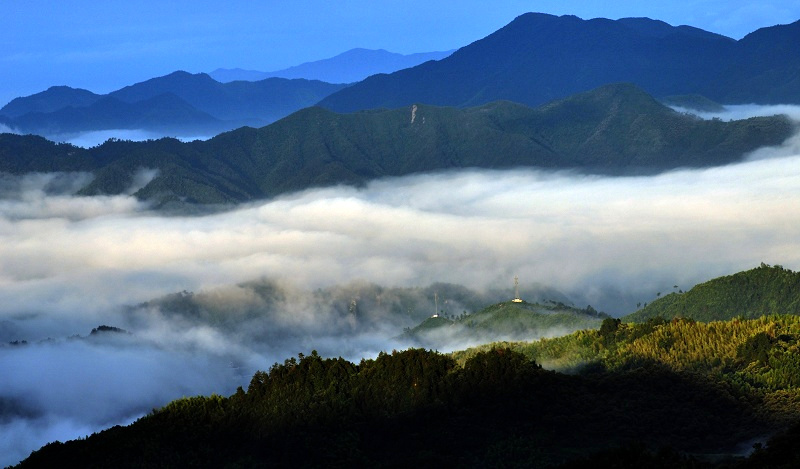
347, 67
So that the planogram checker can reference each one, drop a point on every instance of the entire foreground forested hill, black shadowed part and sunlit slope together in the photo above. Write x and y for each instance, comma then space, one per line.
634, 389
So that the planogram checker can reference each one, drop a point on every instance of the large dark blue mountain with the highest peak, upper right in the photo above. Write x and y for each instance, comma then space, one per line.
538, 58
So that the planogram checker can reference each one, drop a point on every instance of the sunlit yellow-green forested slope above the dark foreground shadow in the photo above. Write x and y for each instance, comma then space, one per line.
757, 356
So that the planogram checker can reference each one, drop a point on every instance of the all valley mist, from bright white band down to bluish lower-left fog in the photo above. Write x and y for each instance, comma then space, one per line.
207, 300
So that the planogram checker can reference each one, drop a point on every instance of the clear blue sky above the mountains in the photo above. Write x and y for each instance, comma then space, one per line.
102, 46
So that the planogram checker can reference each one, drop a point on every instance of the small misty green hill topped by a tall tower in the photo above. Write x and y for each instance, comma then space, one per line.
502, 321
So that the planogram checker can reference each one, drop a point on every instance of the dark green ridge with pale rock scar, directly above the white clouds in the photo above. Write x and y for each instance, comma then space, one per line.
613, 129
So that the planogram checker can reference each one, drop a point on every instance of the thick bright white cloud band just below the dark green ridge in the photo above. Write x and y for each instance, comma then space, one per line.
475, 228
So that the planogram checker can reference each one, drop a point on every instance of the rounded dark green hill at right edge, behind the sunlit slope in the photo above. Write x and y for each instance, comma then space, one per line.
749, 294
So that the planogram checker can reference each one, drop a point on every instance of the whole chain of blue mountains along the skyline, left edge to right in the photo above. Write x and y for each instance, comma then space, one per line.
535, 59
